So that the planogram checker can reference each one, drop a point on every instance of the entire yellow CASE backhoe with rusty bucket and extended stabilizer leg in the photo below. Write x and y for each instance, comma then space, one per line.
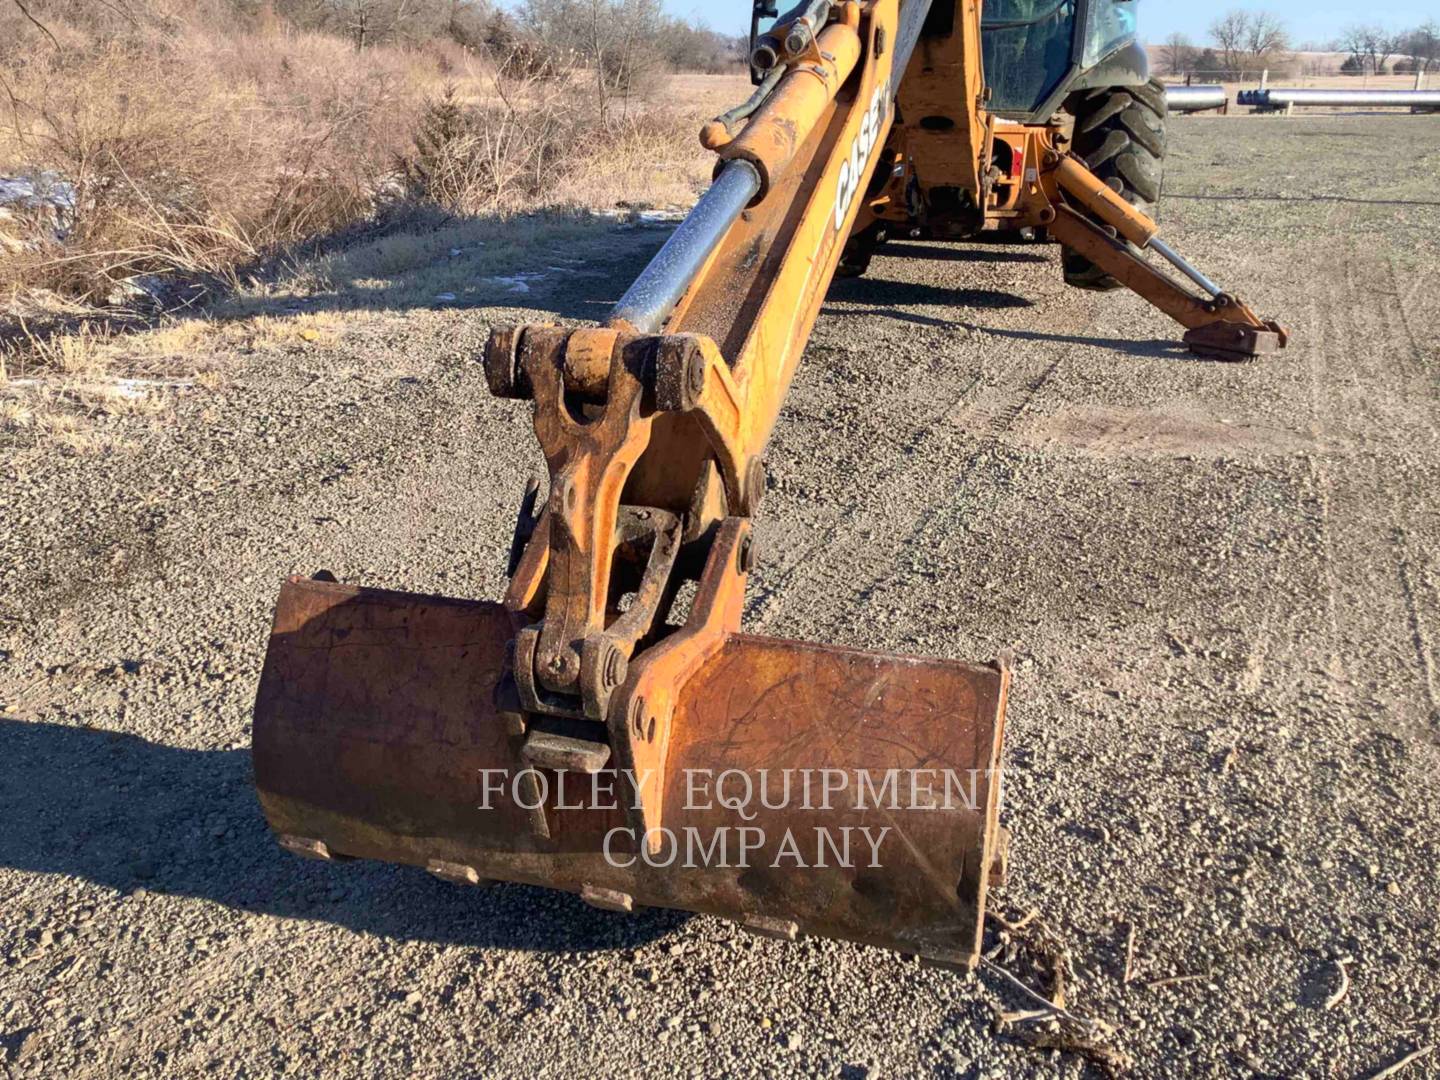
608, 728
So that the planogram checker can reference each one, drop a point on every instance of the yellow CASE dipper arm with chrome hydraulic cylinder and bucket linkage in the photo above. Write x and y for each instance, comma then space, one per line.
659, 418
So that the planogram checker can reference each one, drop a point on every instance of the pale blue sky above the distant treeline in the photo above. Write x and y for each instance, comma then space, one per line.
1308, 21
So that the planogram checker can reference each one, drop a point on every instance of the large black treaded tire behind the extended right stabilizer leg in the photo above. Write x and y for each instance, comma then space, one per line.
1121, 136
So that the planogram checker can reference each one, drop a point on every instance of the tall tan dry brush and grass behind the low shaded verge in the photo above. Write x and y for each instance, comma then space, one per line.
195, 150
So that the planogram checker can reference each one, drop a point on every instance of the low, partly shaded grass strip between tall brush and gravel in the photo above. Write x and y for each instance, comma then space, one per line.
64, 390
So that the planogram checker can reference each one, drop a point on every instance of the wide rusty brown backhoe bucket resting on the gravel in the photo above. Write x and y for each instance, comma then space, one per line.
809, 790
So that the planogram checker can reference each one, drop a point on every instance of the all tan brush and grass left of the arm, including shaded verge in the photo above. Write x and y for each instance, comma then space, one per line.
202, 150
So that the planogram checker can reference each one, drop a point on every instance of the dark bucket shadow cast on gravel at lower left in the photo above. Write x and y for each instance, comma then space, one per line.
126, 814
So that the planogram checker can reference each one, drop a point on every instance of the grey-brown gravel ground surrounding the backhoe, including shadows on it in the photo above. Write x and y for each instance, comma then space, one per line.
1222, 584
